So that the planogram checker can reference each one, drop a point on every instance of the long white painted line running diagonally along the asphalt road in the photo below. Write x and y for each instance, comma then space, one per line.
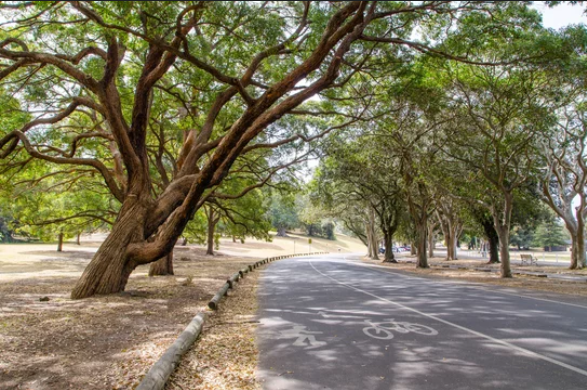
474, 332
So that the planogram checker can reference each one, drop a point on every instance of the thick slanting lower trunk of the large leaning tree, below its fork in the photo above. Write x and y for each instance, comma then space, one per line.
109, 270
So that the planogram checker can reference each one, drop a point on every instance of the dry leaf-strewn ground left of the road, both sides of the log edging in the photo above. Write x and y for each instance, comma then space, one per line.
109, 342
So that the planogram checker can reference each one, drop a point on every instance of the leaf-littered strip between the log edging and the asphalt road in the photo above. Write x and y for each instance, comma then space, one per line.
225, 357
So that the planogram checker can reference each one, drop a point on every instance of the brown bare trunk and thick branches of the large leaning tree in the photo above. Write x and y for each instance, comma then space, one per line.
146, 230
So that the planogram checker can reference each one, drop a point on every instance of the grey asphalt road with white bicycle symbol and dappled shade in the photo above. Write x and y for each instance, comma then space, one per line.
332, 322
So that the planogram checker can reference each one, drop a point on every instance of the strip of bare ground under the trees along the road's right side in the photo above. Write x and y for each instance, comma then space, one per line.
492, 278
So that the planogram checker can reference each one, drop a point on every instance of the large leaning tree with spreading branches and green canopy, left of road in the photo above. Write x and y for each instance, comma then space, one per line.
92, 75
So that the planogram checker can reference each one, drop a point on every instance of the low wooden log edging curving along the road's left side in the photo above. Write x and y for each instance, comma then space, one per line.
164, 367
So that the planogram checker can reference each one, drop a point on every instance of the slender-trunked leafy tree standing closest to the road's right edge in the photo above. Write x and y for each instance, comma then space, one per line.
500, 115
